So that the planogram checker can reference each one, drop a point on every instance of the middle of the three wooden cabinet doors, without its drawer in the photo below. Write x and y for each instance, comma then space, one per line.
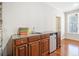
34, 48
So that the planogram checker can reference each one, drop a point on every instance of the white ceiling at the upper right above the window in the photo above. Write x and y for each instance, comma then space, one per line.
64, 6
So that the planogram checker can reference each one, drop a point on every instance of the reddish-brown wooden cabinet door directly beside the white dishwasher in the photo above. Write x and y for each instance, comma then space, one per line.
45, 46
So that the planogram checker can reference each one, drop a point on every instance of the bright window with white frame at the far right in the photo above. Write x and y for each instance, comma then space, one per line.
73, 23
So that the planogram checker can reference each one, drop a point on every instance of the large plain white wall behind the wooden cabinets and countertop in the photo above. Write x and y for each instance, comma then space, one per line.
39, 15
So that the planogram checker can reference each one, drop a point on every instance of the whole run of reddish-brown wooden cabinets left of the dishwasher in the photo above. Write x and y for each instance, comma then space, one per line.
37, 45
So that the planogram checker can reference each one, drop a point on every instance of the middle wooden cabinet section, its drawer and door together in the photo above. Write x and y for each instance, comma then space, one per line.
34, 45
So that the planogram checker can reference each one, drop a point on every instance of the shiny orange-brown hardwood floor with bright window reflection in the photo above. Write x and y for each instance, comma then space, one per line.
68, 48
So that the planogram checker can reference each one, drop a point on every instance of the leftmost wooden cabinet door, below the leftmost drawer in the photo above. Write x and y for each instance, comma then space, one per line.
22, 50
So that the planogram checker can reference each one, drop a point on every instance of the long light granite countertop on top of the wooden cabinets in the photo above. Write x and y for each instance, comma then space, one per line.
15, 36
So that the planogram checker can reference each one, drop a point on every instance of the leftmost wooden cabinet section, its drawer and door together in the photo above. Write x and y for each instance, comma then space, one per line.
20, 47
